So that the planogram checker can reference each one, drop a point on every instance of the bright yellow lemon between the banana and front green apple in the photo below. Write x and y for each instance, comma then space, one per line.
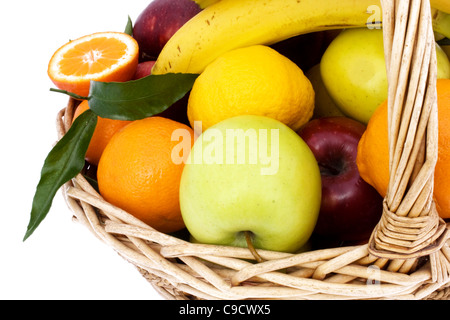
255, 80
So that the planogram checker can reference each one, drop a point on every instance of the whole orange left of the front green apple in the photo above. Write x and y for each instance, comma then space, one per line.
140, 171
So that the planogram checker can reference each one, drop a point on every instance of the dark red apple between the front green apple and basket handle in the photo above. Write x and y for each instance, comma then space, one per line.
350, 207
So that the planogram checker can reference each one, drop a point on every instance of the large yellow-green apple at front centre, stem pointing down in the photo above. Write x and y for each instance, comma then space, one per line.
251, 175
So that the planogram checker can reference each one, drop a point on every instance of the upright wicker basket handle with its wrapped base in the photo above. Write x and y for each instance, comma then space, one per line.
410, 226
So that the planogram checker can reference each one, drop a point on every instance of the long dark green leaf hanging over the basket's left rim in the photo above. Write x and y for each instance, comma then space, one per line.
63, 163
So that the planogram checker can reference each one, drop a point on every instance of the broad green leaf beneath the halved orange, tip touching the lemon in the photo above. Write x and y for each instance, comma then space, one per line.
138, 99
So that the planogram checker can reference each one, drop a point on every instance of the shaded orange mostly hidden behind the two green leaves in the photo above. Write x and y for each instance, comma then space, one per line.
104, 131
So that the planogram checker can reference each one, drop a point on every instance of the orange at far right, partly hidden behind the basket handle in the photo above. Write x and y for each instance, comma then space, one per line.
373, 151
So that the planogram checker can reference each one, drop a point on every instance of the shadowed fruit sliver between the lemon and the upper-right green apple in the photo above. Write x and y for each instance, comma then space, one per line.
324, 106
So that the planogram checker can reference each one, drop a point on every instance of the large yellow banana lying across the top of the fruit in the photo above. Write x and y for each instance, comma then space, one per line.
224, 25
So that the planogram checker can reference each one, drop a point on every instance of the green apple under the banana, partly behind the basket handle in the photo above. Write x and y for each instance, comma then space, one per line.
354, 71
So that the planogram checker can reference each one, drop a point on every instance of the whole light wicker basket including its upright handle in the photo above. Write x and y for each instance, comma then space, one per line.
408, 255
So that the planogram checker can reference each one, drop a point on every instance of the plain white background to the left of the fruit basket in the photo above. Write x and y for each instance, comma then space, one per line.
61, 260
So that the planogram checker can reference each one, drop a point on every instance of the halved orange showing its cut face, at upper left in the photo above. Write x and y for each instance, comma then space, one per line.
103, 56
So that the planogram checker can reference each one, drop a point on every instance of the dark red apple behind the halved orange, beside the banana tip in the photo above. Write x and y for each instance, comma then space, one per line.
159, 21
